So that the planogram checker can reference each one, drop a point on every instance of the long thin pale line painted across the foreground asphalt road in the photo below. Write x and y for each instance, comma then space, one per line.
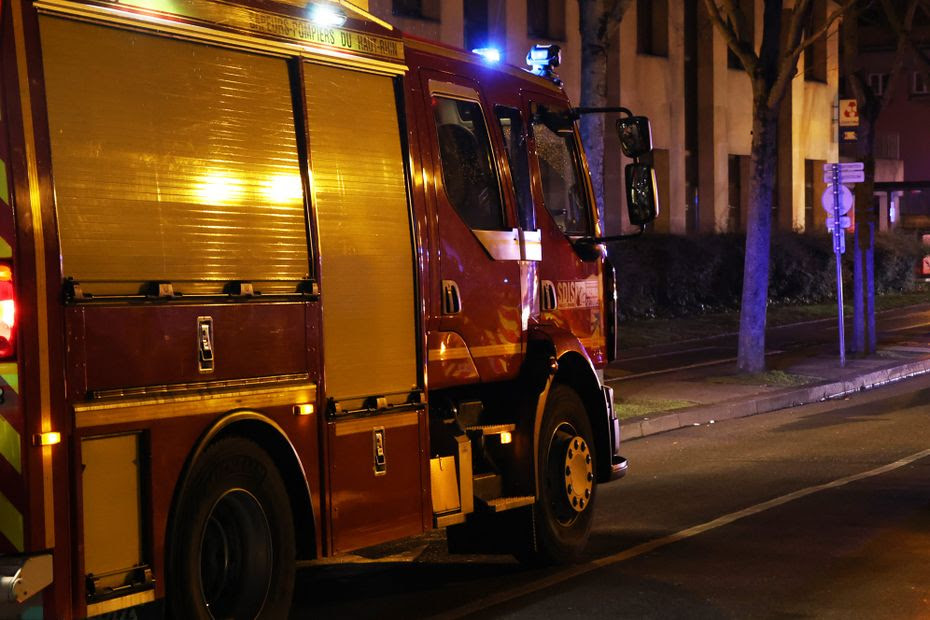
652, 545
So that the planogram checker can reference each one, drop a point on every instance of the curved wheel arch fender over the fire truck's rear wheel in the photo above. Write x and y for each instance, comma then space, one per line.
253, 419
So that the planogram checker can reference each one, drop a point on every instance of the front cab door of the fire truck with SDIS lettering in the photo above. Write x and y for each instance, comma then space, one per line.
571, 285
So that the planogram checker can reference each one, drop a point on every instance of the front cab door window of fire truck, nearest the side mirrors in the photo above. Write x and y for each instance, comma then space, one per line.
562, 184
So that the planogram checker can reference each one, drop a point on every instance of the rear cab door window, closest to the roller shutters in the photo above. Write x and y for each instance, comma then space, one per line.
468, 172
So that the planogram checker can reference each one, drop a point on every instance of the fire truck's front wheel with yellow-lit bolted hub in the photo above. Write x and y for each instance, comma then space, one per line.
563, 514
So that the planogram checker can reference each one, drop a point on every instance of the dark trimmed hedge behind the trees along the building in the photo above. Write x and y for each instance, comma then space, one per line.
671, 275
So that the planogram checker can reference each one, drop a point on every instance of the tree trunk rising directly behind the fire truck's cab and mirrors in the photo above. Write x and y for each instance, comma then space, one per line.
598, 22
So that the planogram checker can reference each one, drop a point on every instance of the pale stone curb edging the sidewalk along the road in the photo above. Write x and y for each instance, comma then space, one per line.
635, 428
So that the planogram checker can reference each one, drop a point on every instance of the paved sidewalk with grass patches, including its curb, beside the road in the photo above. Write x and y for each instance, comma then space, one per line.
655, 403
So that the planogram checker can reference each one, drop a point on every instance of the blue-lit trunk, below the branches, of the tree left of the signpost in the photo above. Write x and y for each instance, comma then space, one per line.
763, 160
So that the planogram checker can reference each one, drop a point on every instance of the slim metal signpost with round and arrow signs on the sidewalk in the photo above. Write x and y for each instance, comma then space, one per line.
837, 201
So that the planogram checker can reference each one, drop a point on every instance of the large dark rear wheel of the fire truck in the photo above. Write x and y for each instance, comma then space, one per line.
233, 551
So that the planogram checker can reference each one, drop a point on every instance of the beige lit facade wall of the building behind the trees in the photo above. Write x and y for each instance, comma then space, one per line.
654, 86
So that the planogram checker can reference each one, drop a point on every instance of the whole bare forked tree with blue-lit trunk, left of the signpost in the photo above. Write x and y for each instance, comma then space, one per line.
770, 70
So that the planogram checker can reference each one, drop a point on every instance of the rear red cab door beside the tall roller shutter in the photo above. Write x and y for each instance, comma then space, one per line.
479, 241
